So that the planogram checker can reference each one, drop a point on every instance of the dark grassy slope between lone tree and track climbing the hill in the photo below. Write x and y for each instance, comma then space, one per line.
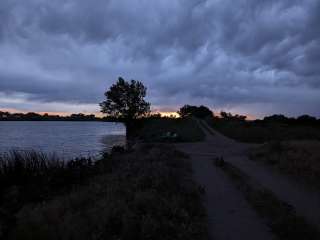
155, 130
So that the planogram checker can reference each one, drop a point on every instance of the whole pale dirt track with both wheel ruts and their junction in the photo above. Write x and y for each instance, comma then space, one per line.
230, 216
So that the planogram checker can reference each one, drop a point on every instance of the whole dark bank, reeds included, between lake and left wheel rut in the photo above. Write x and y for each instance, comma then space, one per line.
147, 193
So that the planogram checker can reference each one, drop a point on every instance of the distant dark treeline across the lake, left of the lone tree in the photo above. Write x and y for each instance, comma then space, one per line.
31, 116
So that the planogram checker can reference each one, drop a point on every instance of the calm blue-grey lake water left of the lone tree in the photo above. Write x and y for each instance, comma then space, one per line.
67, 139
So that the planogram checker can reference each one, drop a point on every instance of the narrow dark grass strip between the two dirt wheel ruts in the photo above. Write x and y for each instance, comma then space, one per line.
279, 216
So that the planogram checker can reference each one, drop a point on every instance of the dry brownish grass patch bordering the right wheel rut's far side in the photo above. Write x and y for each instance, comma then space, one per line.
300, 159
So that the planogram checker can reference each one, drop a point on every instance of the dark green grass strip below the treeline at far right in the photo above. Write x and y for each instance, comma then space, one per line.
260, 132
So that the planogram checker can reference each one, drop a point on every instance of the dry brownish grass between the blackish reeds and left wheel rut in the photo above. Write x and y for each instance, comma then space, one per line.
145, 194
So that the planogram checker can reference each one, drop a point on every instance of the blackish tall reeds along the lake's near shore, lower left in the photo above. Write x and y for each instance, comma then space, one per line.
29, 177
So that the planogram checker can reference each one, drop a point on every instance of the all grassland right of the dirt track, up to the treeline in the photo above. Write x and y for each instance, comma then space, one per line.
292, 149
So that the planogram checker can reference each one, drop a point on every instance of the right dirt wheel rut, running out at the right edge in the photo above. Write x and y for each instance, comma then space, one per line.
306, 201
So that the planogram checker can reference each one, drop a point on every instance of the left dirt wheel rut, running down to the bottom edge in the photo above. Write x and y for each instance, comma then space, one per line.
230, 216
